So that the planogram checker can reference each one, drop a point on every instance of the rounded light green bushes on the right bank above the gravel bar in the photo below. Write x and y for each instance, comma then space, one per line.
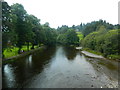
102, 41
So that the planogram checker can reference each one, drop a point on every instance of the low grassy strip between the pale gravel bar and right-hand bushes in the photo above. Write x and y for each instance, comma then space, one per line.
113, 57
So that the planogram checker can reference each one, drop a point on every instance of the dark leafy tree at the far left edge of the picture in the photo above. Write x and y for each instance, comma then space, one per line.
9, 36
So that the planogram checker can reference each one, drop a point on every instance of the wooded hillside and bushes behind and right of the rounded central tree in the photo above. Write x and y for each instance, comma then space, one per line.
99, 36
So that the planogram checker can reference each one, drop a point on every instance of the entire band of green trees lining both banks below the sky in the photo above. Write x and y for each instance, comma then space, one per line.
19, 29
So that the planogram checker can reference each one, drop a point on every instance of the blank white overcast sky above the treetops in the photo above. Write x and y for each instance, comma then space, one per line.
70, 12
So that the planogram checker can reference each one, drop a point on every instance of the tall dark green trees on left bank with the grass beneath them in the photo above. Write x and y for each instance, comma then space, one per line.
20, 28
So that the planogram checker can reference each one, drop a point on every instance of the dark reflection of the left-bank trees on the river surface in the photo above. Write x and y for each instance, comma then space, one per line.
23, 69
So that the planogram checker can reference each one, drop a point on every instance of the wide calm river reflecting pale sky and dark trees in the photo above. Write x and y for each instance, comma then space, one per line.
60, 67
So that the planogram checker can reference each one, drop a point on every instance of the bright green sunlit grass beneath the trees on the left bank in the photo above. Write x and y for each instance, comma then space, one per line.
13, 51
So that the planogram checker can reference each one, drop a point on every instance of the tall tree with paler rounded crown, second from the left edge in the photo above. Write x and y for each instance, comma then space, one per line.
19, 11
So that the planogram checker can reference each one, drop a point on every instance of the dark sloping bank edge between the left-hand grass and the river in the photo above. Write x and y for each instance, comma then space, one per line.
5, 60
